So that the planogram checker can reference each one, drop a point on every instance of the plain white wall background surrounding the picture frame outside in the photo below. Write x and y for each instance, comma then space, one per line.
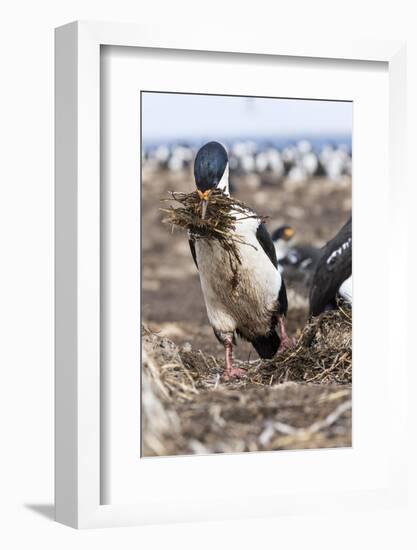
26, 273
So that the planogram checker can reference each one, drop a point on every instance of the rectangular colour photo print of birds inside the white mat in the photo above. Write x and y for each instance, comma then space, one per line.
246, 279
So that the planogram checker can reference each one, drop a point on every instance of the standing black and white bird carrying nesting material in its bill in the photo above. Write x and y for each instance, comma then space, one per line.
254, 306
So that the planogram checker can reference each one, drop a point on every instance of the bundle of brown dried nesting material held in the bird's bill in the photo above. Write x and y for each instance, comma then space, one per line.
218, 223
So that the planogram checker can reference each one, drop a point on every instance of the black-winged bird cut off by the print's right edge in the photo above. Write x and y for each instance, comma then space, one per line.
332, 278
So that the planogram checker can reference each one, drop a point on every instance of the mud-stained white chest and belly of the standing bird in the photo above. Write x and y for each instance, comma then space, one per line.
238, 296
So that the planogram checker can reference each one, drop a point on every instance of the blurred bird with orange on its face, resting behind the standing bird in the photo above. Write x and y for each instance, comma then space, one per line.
303, 257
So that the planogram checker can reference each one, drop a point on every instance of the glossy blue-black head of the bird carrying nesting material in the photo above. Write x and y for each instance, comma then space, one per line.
209, 166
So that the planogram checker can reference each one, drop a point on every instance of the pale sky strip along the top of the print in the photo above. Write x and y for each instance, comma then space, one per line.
168, 116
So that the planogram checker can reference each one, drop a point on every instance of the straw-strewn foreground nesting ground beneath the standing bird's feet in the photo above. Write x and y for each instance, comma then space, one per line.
301, 399
